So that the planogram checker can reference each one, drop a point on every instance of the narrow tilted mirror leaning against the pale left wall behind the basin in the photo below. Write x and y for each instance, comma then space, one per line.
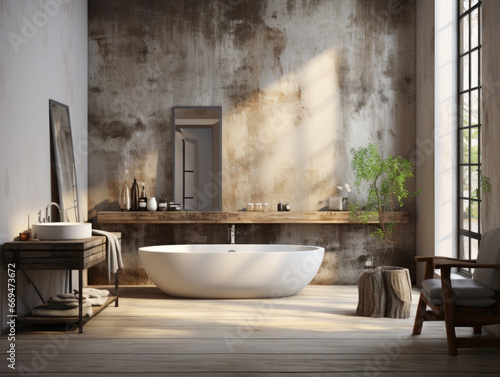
64, 160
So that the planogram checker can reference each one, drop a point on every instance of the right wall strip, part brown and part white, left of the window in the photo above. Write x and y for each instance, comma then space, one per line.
436, 129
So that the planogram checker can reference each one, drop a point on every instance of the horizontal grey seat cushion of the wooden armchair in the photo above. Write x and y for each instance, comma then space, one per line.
466, 292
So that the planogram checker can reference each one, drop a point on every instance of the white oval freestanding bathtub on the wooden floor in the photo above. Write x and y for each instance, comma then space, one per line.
231, 271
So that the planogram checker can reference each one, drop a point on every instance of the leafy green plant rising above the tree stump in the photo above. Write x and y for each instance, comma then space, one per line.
387, 189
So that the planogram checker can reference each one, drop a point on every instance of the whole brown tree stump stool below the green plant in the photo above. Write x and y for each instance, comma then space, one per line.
385, 292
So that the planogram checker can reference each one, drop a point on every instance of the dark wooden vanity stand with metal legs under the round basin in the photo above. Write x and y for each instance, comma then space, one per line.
58, 255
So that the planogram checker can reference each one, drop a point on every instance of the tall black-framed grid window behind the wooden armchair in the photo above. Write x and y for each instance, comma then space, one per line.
469, 127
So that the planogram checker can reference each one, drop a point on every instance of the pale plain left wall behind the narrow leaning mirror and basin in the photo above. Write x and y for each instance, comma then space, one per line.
43, 56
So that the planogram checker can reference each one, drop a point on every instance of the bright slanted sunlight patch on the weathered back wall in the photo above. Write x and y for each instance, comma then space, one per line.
285, 133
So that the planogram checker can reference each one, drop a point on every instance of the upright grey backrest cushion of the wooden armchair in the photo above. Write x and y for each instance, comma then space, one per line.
489, 253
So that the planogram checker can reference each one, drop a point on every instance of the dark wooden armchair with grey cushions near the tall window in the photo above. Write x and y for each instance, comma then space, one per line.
463, 302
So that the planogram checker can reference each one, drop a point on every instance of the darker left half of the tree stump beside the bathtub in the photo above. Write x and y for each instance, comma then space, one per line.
372, 296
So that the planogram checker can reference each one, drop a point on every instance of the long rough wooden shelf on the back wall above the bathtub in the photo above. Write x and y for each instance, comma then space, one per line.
241, 217
